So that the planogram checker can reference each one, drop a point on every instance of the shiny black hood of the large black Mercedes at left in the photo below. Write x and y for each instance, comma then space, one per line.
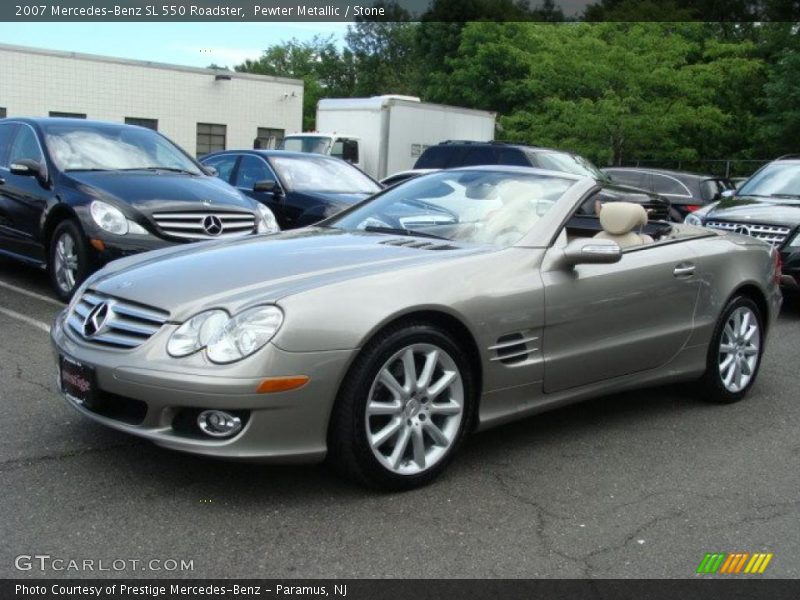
158, 191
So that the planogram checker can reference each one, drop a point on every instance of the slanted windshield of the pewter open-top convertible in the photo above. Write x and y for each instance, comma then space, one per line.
478, 207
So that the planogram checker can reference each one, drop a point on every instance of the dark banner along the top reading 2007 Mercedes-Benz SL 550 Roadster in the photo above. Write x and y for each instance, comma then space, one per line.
398, 10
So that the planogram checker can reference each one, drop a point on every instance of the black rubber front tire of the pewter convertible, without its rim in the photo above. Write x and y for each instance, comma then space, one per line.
349, 431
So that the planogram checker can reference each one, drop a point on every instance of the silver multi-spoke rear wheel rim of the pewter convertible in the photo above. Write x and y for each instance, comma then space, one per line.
740, 344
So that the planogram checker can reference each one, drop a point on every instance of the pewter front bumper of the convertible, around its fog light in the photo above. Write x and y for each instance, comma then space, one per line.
282, 427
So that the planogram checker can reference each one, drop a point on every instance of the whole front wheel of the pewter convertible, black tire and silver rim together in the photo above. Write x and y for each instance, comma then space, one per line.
394, 434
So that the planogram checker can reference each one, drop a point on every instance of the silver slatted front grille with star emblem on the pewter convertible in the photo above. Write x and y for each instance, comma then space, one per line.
121, 324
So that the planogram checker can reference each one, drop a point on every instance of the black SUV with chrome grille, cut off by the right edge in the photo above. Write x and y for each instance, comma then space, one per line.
767, 207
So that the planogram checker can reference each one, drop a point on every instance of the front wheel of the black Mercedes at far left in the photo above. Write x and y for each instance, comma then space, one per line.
68, 259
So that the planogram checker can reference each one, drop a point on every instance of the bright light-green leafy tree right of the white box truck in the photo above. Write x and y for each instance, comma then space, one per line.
611, 91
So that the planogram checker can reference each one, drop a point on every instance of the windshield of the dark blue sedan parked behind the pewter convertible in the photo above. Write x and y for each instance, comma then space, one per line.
318, 174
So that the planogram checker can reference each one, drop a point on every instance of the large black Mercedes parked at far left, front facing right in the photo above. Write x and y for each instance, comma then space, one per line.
75, 194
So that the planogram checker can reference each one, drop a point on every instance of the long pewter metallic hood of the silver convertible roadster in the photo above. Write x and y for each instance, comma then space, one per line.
234, 274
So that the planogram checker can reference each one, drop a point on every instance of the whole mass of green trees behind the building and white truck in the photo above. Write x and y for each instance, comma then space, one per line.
614, 91
